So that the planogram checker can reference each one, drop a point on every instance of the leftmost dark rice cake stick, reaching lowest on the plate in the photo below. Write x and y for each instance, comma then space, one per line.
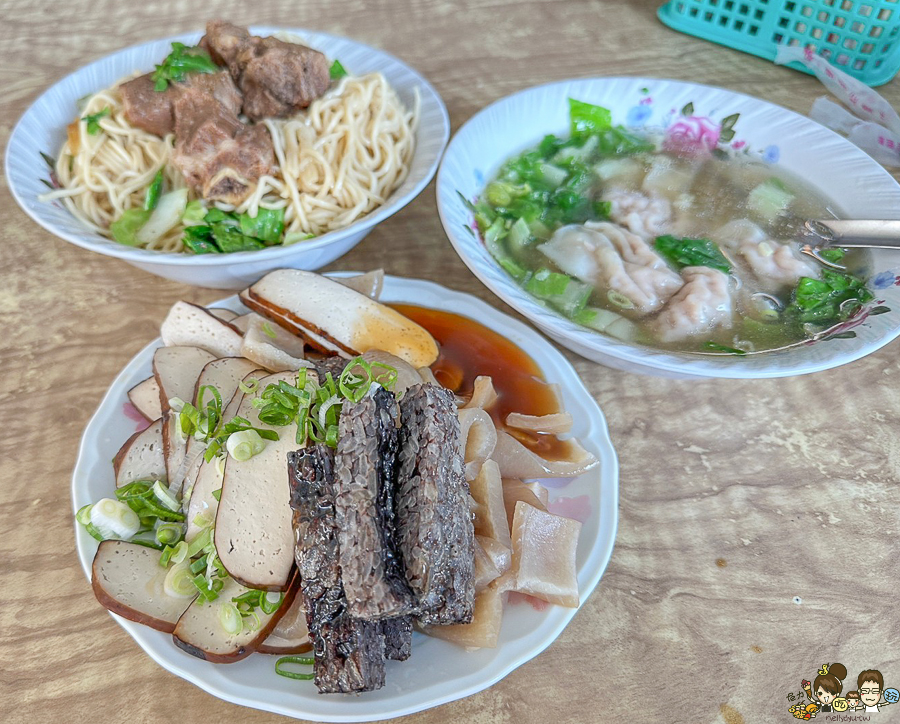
349, 653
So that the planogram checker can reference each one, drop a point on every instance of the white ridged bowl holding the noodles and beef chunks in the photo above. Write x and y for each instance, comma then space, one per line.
43, 127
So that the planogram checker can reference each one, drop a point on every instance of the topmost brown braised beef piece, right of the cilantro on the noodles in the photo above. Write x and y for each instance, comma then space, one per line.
276, 78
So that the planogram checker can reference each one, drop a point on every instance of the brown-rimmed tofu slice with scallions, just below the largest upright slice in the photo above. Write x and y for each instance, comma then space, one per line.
199, 631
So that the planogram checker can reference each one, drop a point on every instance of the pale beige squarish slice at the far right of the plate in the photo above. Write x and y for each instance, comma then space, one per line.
544, 548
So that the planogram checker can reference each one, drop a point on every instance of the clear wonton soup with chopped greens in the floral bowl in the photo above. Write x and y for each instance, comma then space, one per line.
656, 247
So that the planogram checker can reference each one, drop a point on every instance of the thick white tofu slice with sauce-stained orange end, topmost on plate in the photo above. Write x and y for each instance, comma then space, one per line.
338, 319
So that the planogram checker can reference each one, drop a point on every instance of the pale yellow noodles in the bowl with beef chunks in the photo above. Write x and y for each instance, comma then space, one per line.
336, 161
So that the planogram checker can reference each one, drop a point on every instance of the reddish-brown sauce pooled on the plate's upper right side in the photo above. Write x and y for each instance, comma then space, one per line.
469, 349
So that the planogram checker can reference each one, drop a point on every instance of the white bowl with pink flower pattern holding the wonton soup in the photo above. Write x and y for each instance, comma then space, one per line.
858, 186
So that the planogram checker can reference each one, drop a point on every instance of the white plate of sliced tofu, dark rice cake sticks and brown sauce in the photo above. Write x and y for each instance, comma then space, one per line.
319, 464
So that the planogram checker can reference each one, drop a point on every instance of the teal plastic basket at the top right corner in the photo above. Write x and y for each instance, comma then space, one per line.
858, 36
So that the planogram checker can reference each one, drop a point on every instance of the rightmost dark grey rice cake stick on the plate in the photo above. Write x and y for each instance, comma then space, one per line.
435, 534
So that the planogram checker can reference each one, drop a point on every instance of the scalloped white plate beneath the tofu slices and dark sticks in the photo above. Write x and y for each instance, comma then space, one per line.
438, 671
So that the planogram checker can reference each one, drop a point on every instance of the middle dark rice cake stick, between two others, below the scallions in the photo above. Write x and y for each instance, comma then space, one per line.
365, 472
